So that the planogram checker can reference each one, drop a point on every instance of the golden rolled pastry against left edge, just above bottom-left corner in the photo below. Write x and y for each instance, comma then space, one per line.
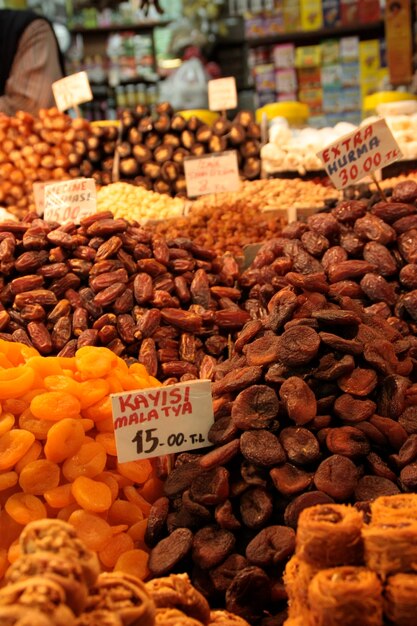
42, 594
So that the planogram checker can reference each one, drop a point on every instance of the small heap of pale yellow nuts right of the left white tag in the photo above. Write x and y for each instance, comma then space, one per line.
137, 204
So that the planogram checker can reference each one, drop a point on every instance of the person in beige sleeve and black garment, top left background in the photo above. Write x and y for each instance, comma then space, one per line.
30, 61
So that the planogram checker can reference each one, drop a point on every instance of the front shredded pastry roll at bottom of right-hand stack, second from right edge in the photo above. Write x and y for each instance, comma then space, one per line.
345, 596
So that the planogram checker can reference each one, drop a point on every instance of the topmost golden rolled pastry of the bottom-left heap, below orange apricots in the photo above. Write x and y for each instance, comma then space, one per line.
59, 537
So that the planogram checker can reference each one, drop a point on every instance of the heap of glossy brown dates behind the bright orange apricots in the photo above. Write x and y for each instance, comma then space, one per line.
172, 305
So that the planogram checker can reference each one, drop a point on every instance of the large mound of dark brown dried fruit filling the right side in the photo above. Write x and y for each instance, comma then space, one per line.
317, 404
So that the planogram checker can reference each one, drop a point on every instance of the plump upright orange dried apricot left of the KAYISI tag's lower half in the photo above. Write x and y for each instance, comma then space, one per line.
64, 439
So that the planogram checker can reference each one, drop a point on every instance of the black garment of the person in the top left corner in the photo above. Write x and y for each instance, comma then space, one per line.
13, 23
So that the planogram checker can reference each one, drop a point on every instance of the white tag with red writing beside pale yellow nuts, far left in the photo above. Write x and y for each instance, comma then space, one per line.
70, 200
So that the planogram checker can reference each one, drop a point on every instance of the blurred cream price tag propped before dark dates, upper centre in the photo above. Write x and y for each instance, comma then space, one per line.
212, 173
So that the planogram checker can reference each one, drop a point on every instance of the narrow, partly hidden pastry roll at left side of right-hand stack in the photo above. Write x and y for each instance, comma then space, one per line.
297, 576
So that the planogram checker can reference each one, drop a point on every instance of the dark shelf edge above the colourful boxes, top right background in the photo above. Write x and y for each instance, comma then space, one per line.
368, 30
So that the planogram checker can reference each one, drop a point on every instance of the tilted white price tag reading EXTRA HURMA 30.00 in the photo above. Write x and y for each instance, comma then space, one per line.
360, 153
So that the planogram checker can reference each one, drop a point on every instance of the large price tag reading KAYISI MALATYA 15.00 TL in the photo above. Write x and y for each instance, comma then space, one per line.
154, 422
